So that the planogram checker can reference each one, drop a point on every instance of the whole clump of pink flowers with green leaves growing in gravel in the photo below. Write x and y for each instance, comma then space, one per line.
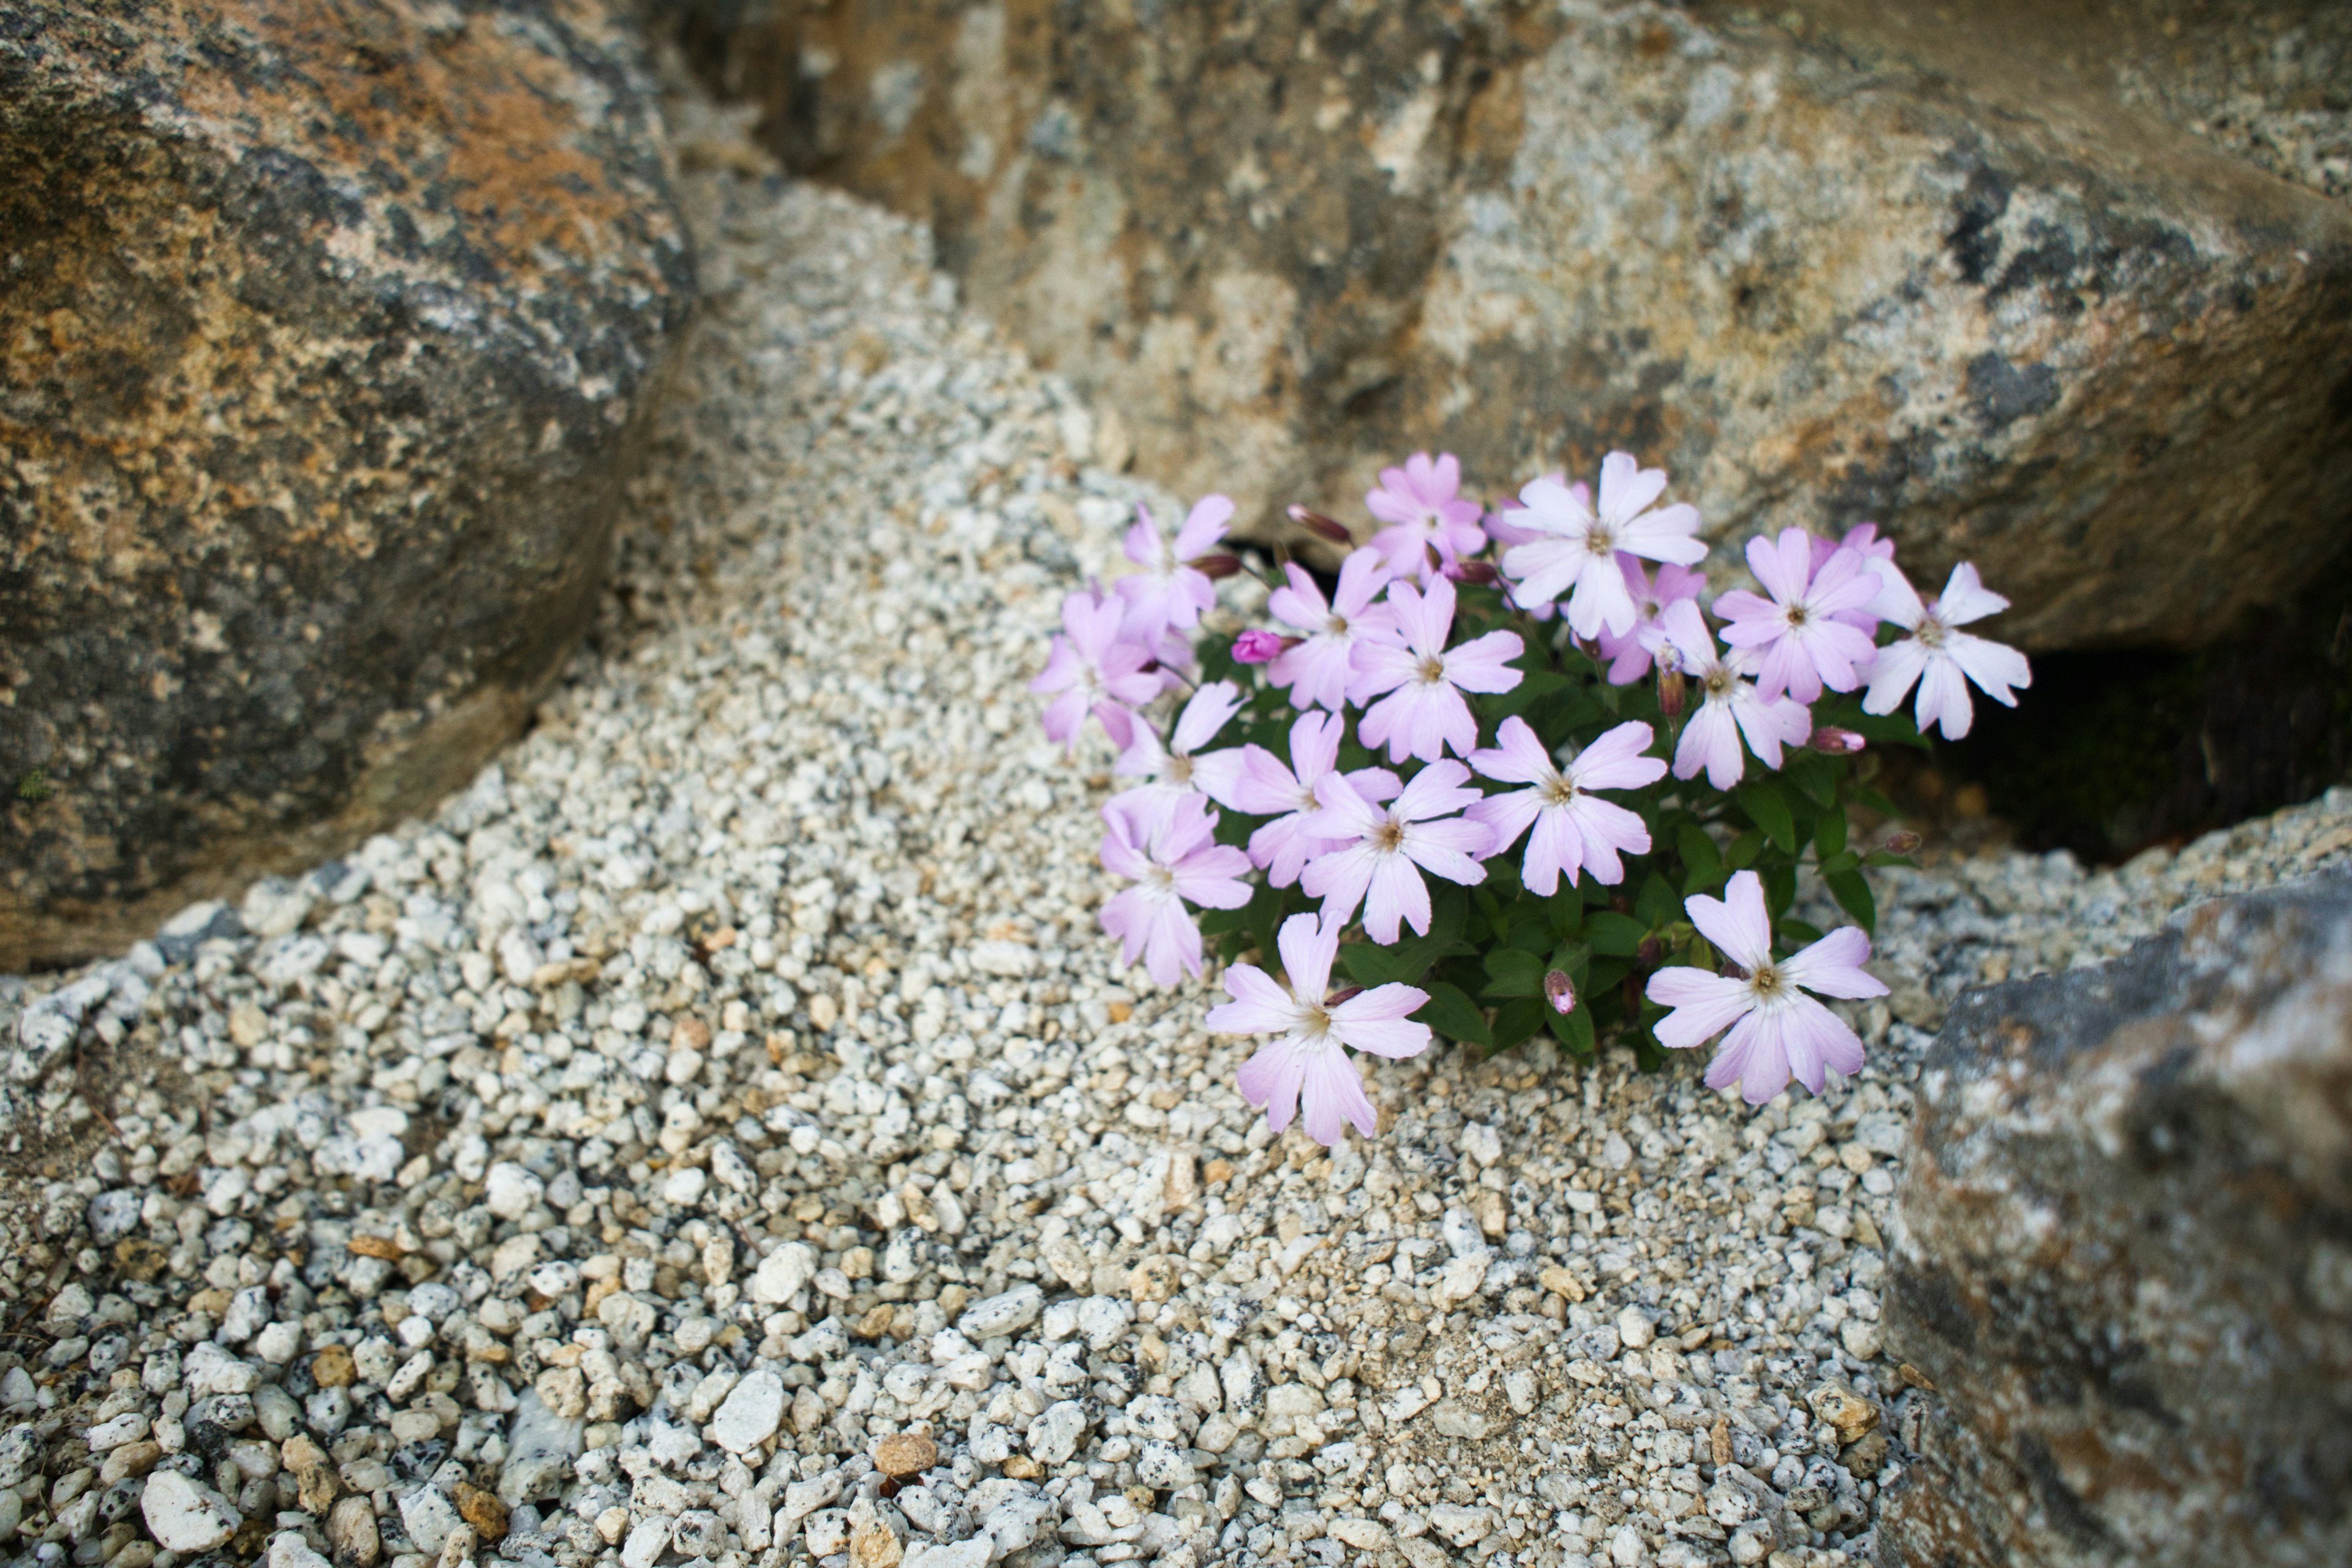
1502, 768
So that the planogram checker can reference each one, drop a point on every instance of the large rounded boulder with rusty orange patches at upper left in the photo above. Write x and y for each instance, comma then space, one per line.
323, 335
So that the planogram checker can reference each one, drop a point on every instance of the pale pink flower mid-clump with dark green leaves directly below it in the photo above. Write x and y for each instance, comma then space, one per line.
1570, 826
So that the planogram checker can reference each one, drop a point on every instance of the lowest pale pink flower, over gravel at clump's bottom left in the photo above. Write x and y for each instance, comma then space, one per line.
1309, 1057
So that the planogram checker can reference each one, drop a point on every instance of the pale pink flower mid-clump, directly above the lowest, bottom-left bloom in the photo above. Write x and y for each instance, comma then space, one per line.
1382, 852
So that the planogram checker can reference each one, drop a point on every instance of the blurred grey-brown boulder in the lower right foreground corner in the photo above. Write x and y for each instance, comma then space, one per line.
2123, 1257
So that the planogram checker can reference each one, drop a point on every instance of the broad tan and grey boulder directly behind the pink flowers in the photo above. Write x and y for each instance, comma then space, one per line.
2054, 286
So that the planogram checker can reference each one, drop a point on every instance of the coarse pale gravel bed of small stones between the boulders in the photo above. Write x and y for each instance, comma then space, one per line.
735, 1078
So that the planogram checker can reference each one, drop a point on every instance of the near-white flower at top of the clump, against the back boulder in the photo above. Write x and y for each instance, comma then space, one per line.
1579, 547
